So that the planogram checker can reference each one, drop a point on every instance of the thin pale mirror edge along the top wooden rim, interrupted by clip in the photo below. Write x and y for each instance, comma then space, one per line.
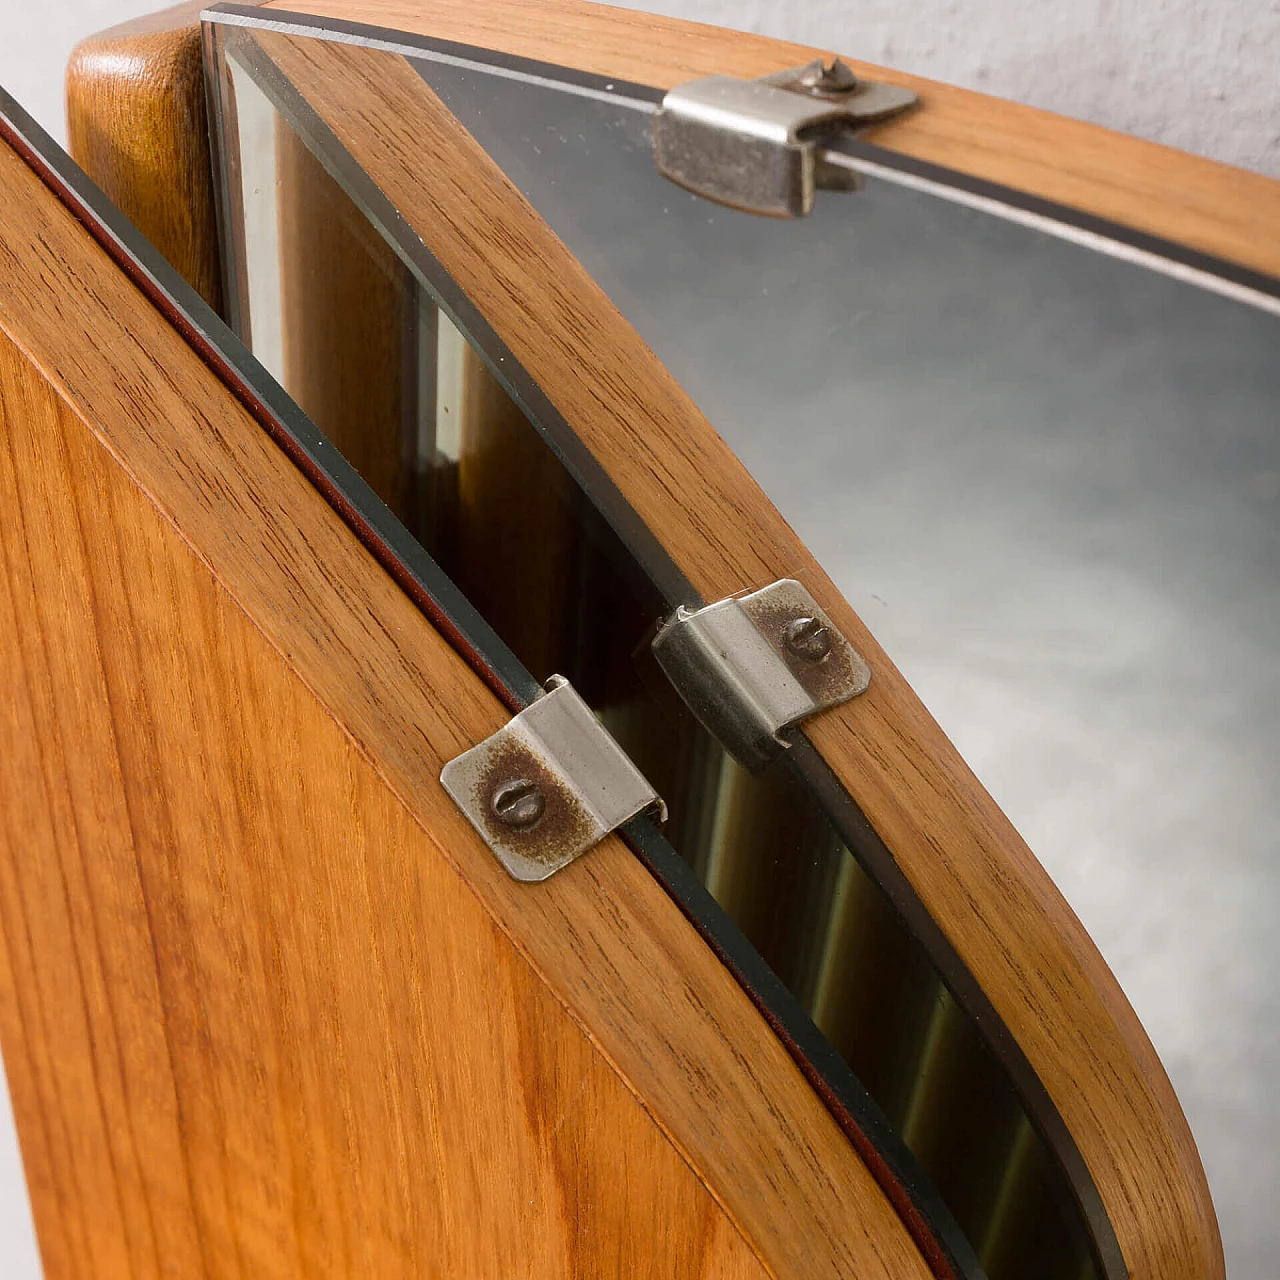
852, 145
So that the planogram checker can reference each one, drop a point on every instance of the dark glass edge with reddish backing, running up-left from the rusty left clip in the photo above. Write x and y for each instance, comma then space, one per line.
369, 518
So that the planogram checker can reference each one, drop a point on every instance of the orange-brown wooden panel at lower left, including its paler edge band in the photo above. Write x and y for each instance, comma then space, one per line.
269, 1007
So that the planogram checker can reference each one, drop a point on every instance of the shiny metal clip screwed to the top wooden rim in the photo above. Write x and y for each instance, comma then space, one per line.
755, 144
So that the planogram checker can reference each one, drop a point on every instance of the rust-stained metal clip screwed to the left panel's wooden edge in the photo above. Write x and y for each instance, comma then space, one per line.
548, 785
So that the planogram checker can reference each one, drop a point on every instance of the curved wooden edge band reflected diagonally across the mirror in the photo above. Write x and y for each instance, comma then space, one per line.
972, 871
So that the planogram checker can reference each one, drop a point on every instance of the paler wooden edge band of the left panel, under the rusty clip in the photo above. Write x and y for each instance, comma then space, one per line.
602, 938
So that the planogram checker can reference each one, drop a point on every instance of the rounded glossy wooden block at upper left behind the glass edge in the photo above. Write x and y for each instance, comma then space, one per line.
136, 124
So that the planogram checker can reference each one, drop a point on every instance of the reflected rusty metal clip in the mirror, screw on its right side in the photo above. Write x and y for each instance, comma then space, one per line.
755, 666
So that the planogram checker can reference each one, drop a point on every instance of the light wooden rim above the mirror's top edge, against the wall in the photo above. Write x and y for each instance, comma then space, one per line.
1218, 209
